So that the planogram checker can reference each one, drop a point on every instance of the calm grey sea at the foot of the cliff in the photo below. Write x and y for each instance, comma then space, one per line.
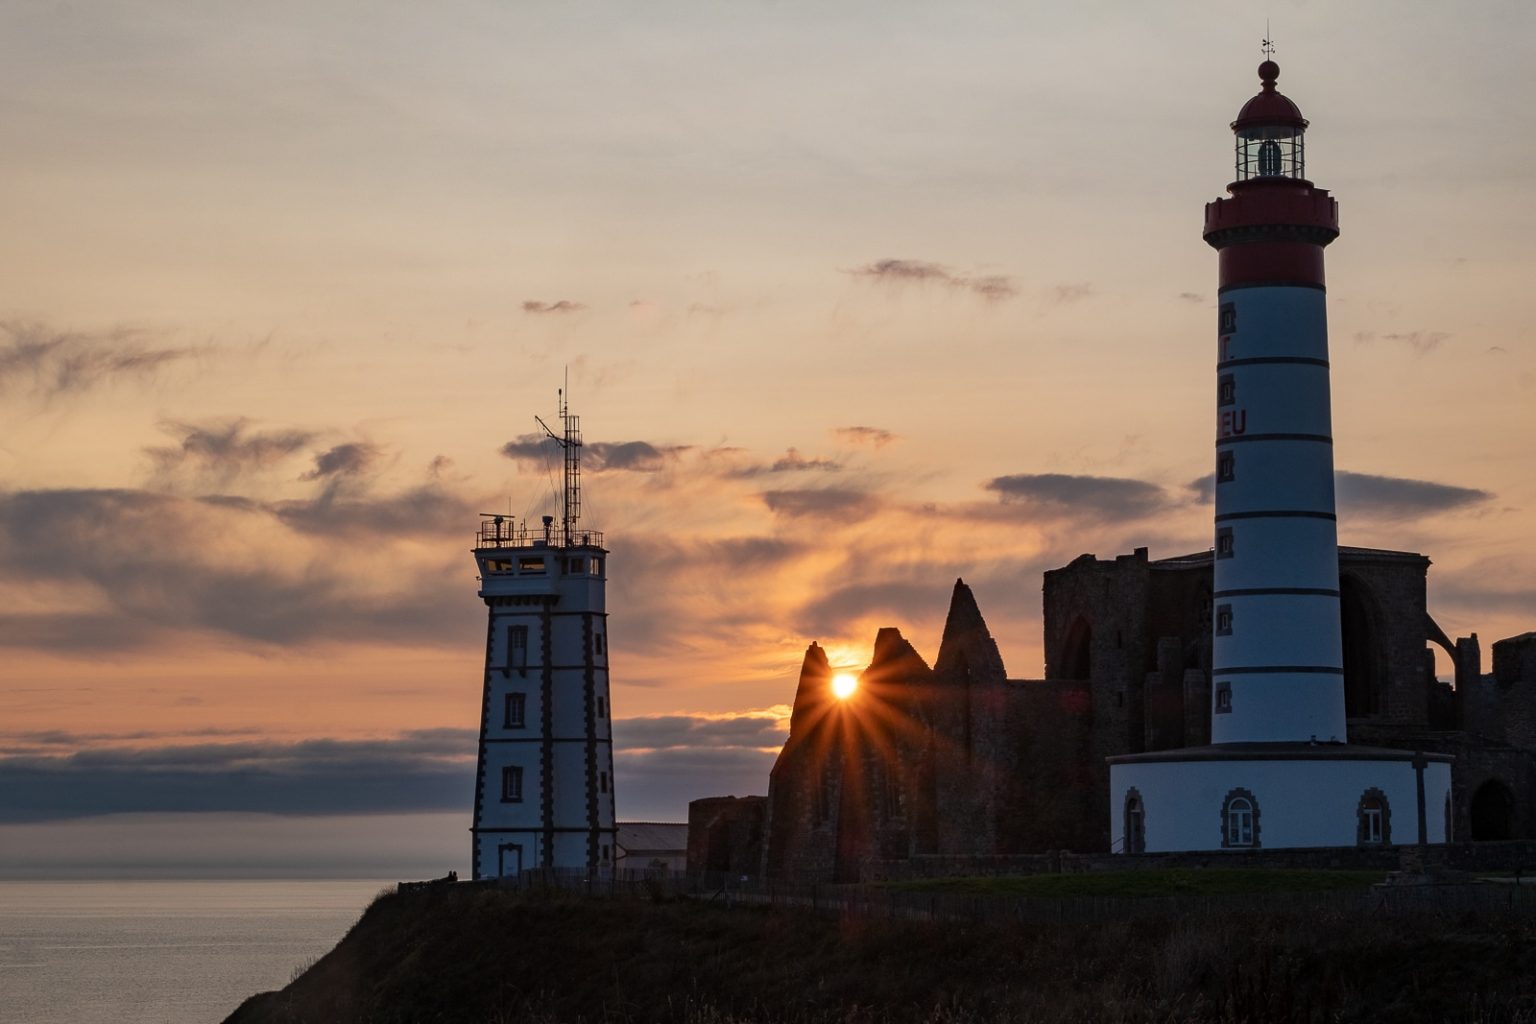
161, 953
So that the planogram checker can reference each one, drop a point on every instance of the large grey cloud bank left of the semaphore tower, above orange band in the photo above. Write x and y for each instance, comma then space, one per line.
162, 566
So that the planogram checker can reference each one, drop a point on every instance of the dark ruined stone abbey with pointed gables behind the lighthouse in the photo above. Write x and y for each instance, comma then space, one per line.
958, 759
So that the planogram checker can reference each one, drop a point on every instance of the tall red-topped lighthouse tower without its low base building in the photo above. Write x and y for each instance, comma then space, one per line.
1277, 667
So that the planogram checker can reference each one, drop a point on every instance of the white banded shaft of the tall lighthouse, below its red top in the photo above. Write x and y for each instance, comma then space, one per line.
1277, 630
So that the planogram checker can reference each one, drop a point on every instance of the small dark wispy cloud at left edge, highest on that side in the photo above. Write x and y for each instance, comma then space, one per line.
48, 363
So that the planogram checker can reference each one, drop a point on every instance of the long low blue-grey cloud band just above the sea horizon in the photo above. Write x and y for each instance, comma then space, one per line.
663, 762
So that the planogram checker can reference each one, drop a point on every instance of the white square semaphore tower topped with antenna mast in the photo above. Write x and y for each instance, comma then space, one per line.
545, 782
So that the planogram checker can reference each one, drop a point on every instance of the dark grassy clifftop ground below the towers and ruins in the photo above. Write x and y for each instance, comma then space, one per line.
495, 957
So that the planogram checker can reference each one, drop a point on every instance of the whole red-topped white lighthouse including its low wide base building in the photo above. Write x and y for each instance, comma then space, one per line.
1280, 771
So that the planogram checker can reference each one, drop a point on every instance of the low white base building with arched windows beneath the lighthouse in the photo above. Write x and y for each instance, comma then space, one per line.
1277, 796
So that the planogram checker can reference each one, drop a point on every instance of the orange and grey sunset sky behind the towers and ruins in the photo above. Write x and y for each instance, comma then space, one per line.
855, 300
